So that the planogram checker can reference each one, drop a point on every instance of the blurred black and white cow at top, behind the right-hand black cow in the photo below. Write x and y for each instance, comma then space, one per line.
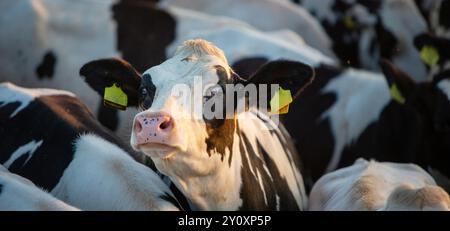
365, 31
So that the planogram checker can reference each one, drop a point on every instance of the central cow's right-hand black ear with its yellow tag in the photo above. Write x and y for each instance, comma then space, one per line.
291, 76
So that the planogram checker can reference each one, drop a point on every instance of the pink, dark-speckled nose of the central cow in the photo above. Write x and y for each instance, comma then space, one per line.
153, 128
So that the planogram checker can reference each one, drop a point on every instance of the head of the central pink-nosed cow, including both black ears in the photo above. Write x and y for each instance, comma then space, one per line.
174, 125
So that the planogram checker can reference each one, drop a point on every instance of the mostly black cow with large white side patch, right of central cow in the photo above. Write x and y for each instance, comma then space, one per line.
346, 114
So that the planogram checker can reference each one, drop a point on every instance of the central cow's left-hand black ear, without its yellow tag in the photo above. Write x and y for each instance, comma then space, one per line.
104, 73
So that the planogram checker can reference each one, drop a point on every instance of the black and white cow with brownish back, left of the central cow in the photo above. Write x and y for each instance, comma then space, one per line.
52, 139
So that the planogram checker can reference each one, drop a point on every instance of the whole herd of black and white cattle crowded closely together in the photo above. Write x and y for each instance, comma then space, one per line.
368, 128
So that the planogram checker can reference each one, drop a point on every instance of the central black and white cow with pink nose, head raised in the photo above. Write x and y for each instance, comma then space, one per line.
243, 161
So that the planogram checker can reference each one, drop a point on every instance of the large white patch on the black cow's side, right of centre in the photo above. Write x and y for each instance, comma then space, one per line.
360, 98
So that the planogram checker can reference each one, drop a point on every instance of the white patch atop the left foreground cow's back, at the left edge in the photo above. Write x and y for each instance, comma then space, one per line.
11, 93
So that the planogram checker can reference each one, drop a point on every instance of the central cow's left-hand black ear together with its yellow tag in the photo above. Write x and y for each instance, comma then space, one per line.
115, 80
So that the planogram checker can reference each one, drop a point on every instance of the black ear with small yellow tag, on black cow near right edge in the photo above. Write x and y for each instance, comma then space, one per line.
401, 86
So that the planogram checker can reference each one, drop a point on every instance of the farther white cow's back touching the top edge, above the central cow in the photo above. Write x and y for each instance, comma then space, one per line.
284, 15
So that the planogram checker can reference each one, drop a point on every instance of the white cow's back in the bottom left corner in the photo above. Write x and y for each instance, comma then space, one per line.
20, 194
